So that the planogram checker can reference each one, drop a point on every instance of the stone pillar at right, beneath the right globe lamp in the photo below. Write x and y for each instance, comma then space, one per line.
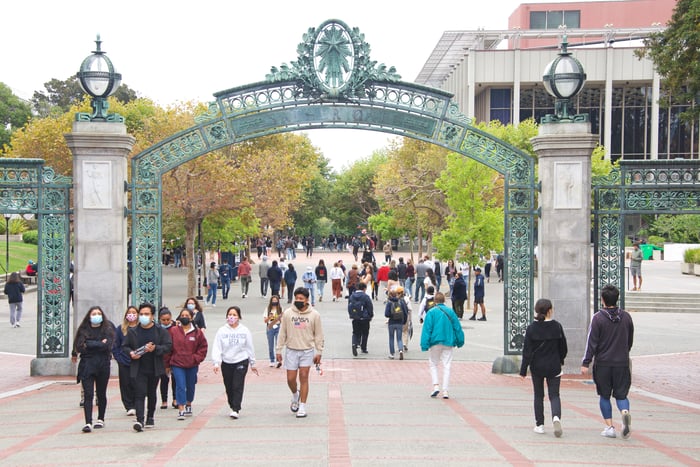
564, 230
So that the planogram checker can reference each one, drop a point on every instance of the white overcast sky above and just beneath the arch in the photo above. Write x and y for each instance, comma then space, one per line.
171, 51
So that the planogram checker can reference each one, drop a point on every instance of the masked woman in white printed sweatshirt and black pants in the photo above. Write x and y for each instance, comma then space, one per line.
234, 353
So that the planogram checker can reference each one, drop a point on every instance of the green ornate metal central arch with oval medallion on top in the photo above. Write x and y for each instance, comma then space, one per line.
334, 84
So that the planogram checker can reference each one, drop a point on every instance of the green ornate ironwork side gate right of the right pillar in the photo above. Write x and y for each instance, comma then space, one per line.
637, 187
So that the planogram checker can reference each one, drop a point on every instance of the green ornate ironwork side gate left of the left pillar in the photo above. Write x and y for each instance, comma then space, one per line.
27, 187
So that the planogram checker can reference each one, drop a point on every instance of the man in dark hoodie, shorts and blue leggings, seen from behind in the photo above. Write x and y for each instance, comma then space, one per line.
608, 346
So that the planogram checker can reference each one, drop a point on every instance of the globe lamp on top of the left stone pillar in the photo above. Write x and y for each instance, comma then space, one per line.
99, 79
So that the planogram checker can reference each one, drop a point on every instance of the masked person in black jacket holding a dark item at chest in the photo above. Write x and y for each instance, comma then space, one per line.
146, 344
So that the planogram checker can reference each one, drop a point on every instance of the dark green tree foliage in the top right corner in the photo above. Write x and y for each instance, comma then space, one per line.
676, 53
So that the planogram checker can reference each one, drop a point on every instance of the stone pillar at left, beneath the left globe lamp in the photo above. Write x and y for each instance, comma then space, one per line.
100, 161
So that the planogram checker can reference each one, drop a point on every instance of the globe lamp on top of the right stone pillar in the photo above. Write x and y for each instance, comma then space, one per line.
563, 79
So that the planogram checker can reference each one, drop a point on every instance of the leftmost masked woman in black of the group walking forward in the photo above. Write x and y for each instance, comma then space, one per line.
93, 343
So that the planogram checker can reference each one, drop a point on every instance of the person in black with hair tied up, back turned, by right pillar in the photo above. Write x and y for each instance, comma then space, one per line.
544, 351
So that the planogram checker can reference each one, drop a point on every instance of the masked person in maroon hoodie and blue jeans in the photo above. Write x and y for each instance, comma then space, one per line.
189, 350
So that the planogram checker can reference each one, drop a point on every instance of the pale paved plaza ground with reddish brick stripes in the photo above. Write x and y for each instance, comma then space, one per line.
371, 410
